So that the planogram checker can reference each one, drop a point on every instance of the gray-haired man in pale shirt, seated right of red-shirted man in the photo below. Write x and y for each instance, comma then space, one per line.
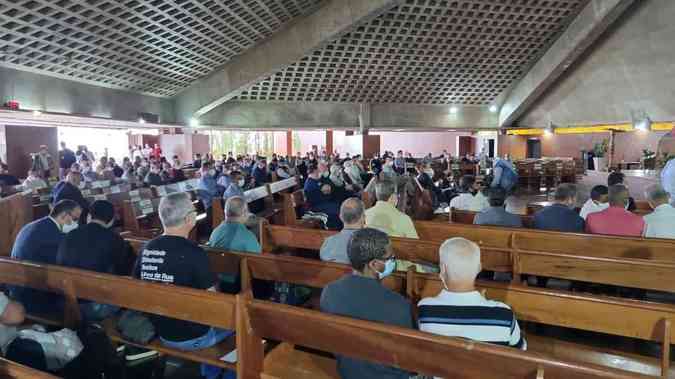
660, 223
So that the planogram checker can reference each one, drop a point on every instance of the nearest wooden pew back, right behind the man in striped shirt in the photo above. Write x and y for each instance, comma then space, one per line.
409, 349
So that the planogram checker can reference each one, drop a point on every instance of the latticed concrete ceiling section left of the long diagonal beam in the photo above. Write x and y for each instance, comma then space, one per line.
156, 47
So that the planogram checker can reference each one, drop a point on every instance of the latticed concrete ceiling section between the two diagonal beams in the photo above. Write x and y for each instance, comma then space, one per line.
464, 52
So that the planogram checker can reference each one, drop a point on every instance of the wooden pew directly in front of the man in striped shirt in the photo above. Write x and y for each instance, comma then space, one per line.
642, 320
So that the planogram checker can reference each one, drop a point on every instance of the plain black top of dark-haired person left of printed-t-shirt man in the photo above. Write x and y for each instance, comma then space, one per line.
95, 248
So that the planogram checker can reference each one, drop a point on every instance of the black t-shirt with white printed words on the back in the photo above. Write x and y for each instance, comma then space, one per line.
178, 261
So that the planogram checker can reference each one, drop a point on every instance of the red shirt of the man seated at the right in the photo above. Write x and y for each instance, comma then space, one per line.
615, 221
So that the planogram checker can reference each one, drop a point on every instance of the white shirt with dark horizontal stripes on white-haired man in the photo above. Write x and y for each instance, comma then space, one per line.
470, 315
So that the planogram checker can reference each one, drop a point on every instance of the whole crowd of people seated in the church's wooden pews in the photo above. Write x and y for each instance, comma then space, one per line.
333, 185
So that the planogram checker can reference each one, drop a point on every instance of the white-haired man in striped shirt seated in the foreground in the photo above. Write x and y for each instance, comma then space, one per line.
459, 310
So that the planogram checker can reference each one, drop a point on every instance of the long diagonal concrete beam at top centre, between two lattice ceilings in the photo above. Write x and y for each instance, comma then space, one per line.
312, 32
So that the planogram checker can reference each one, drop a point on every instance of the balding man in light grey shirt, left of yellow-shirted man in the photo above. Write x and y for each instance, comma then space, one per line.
334, 248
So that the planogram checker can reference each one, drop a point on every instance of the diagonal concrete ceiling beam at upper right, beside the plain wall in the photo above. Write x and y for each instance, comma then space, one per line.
586, 28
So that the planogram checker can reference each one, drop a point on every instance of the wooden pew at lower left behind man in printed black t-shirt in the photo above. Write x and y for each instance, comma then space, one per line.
165, 300
